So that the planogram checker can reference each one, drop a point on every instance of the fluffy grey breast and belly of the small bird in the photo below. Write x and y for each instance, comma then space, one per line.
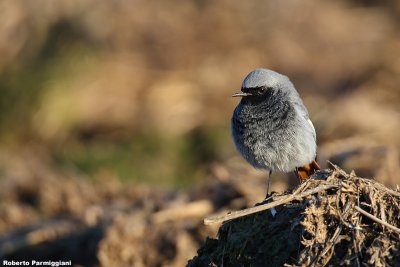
273, 136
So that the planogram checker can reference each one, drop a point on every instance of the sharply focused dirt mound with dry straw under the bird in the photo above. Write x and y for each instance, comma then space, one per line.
333, 219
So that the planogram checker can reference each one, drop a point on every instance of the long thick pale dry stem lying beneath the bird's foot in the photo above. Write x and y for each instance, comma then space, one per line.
245, 212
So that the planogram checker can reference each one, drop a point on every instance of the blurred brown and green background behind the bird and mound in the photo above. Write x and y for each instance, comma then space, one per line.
116, 114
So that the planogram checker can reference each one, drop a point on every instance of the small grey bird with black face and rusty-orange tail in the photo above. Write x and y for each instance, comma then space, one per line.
271, 127
